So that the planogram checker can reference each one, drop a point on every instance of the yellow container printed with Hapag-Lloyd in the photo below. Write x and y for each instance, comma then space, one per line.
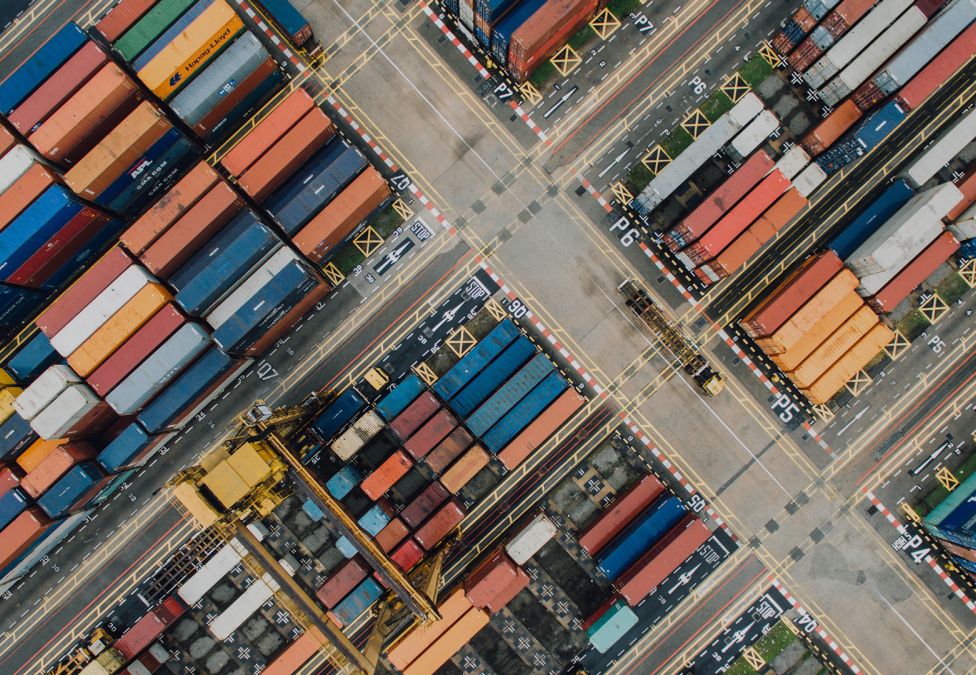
192, 49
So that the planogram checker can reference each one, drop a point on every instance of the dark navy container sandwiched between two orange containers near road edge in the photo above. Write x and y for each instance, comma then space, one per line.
315, 185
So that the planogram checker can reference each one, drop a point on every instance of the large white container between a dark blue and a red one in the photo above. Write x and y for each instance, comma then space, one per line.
905, 234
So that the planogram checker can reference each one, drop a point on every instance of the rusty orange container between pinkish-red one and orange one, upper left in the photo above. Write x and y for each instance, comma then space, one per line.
75, 127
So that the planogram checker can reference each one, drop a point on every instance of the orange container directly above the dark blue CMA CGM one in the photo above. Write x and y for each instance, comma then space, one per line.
117, 151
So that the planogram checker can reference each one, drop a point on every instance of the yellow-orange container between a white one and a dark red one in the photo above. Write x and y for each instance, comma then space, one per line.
112, 334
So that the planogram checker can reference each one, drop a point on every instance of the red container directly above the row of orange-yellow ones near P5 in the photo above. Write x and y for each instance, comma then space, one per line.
790, 294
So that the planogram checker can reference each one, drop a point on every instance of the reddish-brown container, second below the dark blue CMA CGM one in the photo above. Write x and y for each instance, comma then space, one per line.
192, 230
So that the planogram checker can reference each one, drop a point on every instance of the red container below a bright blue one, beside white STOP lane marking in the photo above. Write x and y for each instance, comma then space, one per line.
664, 557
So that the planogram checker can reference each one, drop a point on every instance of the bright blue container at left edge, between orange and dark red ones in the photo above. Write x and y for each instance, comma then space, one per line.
40, 221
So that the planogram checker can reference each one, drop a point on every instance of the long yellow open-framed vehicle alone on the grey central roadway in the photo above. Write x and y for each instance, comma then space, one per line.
671, 335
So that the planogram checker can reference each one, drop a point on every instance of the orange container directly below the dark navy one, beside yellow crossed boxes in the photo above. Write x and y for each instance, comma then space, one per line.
342, 215
